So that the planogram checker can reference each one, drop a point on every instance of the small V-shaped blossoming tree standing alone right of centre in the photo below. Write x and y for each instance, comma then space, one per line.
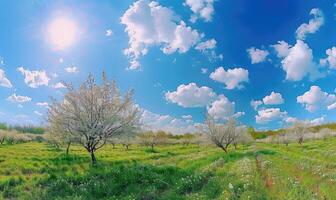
222, 135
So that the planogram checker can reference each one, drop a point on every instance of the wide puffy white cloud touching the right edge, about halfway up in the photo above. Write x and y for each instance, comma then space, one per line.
315, 99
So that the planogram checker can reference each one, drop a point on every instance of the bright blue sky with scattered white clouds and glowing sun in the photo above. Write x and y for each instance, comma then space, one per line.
183, 58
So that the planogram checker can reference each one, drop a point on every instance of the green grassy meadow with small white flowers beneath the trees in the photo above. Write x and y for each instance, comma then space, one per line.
259, 171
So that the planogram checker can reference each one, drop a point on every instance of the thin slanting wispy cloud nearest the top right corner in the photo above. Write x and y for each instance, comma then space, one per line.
313, 25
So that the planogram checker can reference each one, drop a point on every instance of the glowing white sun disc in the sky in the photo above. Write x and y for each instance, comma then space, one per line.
62, 33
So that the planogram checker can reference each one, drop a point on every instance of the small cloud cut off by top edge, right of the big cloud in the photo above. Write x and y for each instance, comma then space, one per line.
201, 8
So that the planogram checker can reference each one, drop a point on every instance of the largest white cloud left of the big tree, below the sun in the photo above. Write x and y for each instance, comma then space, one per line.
34, 78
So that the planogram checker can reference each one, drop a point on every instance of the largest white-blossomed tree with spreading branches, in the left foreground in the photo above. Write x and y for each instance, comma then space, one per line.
93, 114
